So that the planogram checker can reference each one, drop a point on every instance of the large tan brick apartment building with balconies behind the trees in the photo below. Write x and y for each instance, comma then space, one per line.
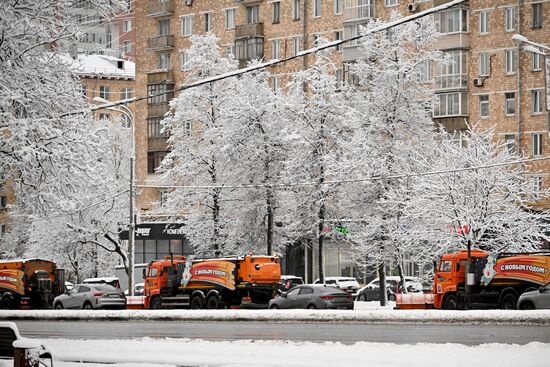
491, 79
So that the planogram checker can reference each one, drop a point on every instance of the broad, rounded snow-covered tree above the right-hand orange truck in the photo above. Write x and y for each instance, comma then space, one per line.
488, 208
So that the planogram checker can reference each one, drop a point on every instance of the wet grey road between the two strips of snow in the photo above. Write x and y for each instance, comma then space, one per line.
345, 332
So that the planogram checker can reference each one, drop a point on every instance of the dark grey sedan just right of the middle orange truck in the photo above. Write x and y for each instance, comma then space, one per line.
313, 296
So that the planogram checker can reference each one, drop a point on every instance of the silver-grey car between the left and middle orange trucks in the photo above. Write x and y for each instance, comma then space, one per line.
91, 296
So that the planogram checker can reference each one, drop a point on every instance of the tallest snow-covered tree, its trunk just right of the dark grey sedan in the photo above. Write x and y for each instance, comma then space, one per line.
394, 109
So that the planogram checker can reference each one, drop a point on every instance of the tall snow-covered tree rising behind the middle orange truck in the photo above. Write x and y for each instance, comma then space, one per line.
199, 150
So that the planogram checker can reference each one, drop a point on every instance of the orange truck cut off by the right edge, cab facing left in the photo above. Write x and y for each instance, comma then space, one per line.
496, 281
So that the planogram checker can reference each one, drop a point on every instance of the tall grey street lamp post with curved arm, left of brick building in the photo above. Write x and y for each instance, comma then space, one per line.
132, 227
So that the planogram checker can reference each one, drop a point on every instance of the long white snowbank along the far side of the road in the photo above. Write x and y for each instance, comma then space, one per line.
364, 312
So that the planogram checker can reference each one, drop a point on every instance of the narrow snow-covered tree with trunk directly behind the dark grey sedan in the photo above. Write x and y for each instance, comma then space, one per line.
317, 112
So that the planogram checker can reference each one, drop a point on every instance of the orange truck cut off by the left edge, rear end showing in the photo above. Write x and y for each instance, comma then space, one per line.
29, 283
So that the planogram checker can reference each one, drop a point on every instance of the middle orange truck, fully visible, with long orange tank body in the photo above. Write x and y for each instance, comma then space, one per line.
180, 282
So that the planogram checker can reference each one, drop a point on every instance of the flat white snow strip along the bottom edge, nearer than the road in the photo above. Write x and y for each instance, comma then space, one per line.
187, 352
